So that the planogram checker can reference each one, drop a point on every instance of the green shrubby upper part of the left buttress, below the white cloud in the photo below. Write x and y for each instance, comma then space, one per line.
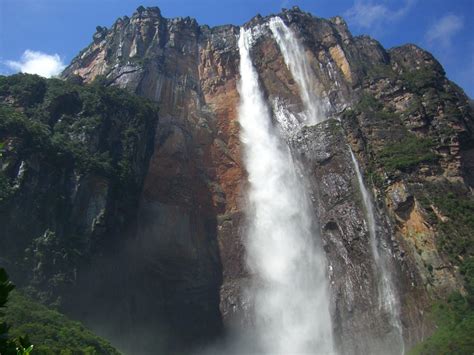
55, 118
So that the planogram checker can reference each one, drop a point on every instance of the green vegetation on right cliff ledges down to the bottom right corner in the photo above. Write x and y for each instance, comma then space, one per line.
449, 206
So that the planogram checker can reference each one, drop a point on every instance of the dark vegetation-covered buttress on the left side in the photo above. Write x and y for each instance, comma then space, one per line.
56, 136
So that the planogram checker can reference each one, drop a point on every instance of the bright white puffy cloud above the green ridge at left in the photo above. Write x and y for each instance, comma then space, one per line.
33, 62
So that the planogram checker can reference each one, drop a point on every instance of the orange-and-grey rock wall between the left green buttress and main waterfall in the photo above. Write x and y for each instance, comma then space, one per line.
189, 210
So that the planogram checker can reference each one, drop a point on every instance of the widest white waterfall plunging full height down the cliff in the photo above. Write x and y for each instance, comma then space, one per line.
290, 288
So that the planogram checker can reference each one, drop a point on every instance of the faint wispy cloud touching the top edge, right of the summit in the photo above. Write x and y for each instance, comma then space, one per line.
370, 14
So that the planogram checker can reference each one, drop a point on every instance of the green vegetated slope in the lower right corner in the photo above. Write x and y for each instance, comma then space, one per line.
455, 317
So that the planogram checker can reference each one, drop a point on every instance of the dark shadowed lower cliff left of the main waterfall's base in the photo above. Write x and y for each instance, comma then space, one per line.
155, 290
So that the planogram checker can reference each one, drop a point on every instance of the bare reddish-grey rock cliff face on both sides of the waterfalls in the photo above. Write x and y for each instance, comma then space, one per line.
191, 216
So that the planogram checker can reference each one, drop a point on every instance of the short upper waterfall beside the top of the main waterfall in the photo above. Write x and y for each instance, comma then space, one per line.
296, 61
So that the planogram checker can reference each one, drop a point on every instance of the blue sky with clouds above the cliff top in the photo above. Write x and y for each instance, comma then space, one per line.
42, 36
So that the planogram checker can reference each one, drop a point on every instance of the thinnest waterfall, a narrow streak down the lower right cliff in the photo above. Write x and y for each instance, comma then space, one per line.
387, 297
